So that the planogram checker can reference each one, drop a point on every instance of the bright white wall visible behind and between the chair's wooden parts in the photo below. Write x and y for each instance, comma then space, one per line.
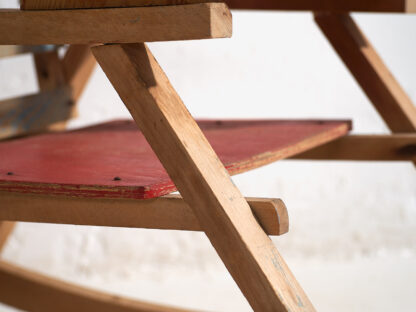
352, 242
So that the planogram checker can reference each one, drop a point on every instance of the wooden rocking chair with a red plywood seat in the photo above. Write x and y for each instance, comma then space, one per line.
61, 177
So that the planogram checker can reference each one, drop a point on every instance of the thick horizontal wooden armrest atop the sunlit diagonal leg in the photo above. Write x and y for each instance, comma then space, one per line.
183, 22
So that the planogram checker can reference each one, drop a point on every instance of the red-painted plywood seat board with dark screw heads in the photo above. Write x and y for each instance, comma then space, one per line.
114, 160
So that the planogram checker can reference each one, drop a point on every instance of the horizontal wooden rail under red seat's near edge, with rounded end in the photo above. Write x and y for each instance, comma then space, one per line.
163, 213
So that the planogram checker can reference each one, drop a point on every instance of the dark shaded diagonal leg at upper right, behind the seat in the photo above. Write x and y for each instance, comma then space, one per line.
387, 96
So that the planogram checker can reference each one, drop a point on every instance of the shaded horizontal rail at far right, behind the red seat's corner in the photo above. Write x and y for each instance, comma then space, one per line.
396, 147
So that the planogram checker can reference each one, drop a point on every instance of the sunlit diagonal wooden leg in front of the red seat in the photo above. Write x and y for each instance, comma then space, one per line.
204, 183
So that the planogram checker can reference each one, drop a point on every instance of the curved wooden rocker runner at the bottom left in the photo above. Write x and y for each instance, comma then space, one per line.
30, 291
